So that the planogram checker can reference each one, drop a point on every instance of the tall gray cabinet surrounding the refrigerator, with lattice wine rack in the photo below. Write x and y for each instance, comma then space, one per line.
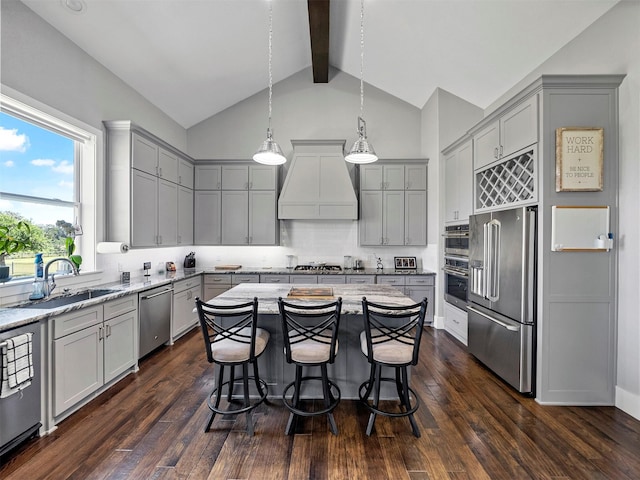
577, 290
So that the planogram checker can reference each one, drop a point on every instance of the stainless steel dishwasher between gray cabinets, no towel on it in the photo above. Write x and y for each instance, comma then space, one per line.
155, 318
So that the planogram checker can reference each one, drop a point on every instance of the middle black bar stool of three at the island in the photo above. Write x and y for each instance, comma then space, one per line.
310, 334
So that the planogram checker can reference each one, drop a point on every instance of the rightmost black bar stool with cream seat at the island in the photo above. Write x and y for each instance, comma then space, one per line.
391, 338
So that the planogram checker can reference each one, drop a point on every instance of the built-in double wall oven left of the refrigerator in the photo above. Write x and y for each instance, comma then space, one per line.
456, 265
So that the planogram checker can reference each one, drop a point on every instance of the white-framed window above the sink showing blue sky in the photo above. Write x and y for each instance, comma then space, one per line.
47, 172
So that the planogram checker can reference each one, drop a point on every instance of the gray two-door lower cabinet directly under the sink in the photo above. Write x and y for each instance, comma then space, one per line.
91, 347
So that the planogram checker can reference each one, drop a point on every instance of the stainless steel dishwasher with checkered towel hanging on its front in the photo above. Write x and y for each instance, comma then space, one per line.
20, 412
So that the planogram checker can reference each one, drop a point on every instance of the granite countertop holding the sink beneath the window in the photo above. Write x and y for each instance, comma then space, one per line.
17, 316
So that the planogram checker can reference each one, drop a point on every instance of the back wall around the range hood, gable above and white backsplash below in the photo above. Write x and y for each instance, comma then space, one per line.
304, 110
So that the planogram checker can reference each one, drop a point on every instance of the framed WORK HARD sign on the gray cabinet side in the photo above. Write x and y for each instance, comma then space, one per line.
579, 156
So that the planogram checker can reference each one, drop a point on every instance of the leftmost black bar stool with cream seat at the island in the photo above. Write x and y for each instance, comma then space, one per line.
231, 338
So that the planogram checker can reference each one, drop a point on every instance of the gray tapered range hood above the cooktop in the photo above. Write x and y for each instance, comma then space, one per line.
318, 185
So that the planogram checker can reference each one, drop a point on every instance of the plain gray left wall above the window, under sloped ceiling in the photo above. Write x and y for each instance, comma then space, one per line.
40, 62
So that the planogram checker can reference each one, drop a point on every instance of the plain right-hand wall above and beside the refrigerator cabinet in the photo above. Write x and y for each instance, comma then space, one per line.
612, 45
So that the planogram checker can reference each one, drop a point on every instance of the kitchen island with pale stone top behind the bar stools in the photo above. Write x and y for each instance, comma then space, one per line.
350, 368
